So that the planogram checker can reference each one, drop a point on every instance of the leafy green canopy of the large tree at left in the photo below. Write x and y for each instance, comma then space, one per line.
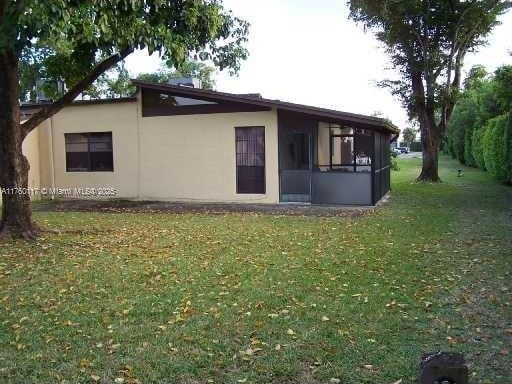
69, 39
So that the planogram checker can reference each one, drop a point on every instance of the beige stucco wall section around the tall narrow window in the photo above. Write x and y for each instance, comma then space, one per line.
192, 157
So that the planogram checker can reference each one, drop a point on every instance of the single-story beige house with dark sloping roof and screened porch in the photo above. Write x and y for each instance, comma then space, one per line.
179, 143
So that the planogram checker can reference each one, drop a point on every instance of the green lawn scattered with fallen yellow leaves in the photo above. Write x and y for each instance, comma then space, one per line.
196, 298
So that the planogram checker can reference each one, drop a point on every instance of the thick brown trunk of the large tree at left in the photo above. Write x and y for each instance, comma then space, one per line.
16, 211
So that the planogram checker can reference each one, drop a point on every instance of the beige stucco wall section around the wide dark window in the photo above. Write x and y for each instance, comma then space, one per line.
121, 120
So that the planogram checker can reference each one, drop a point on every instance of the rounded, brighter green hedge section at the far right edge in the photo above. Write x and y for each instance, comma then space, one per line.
493, 143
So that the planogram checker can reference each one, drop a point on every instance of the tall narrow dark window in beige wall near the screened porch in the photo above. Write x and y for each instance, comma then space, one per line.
250, 159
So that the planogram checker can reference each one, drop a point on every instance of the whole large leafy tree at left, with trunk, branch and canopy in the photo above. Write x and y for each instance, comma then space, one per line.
83, 40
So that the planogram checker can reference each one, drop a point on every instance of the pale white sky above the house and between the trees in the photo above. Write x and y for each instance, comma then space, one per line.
309, 52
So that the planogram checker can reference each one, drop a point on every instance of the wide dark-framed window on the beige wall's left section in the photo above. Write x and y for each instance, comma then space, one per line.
89, 152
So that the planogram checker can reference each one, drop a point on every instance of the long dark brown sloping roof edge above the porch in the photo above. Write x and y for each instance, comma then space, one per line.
257, 100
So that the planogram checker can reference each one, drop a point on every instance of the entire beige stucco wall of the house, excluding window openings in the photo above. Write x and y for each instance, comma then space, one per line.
189, 158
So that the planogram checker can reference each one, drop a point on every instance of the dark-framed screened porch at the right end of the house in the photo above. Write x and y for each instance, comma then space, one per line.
332, 162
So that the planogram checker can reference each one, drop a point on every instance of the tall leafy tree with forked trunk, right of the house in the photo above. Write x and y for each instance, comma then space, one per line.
427, 41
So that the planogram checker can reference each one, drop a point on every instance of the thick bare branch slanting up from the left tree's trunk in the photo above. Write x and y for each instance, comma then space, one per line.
50, 110
